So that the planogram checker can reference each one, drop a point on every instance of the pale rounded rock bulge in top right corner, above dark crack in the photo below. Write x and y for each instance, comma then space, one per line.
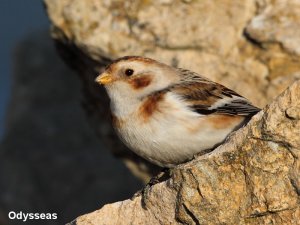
279, 23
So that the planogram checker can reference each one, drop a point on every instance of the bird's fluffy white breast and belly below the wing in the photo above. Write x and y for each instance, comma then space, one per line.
173, 134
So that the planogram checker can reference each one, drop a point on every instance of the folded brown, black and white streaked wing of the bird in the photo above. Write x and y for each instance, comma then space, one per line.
206, 97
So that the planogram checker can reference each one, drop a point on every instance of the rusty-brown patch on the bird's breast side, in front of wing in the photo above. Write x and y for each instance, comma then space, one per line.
150, 106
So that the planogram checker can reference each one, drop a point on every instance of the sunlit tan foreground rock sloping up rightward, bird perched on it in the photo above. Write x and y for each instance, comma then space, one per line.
254, 178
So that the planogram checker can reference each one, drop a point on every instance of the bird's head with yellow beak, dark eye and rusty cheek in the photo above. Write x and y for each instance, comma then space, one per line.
136, 77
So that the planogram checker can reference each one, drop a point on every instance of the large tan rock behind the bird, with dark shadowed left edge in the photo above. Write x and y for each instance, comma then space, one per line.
251, 46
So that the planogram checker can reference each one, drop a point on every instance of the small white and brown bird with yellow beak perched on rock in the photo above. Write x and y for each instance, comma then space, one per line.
167, 115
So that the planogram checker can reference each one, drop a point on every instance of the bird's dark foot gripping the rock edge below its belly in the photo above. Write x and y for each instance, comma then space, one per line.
144, 192
